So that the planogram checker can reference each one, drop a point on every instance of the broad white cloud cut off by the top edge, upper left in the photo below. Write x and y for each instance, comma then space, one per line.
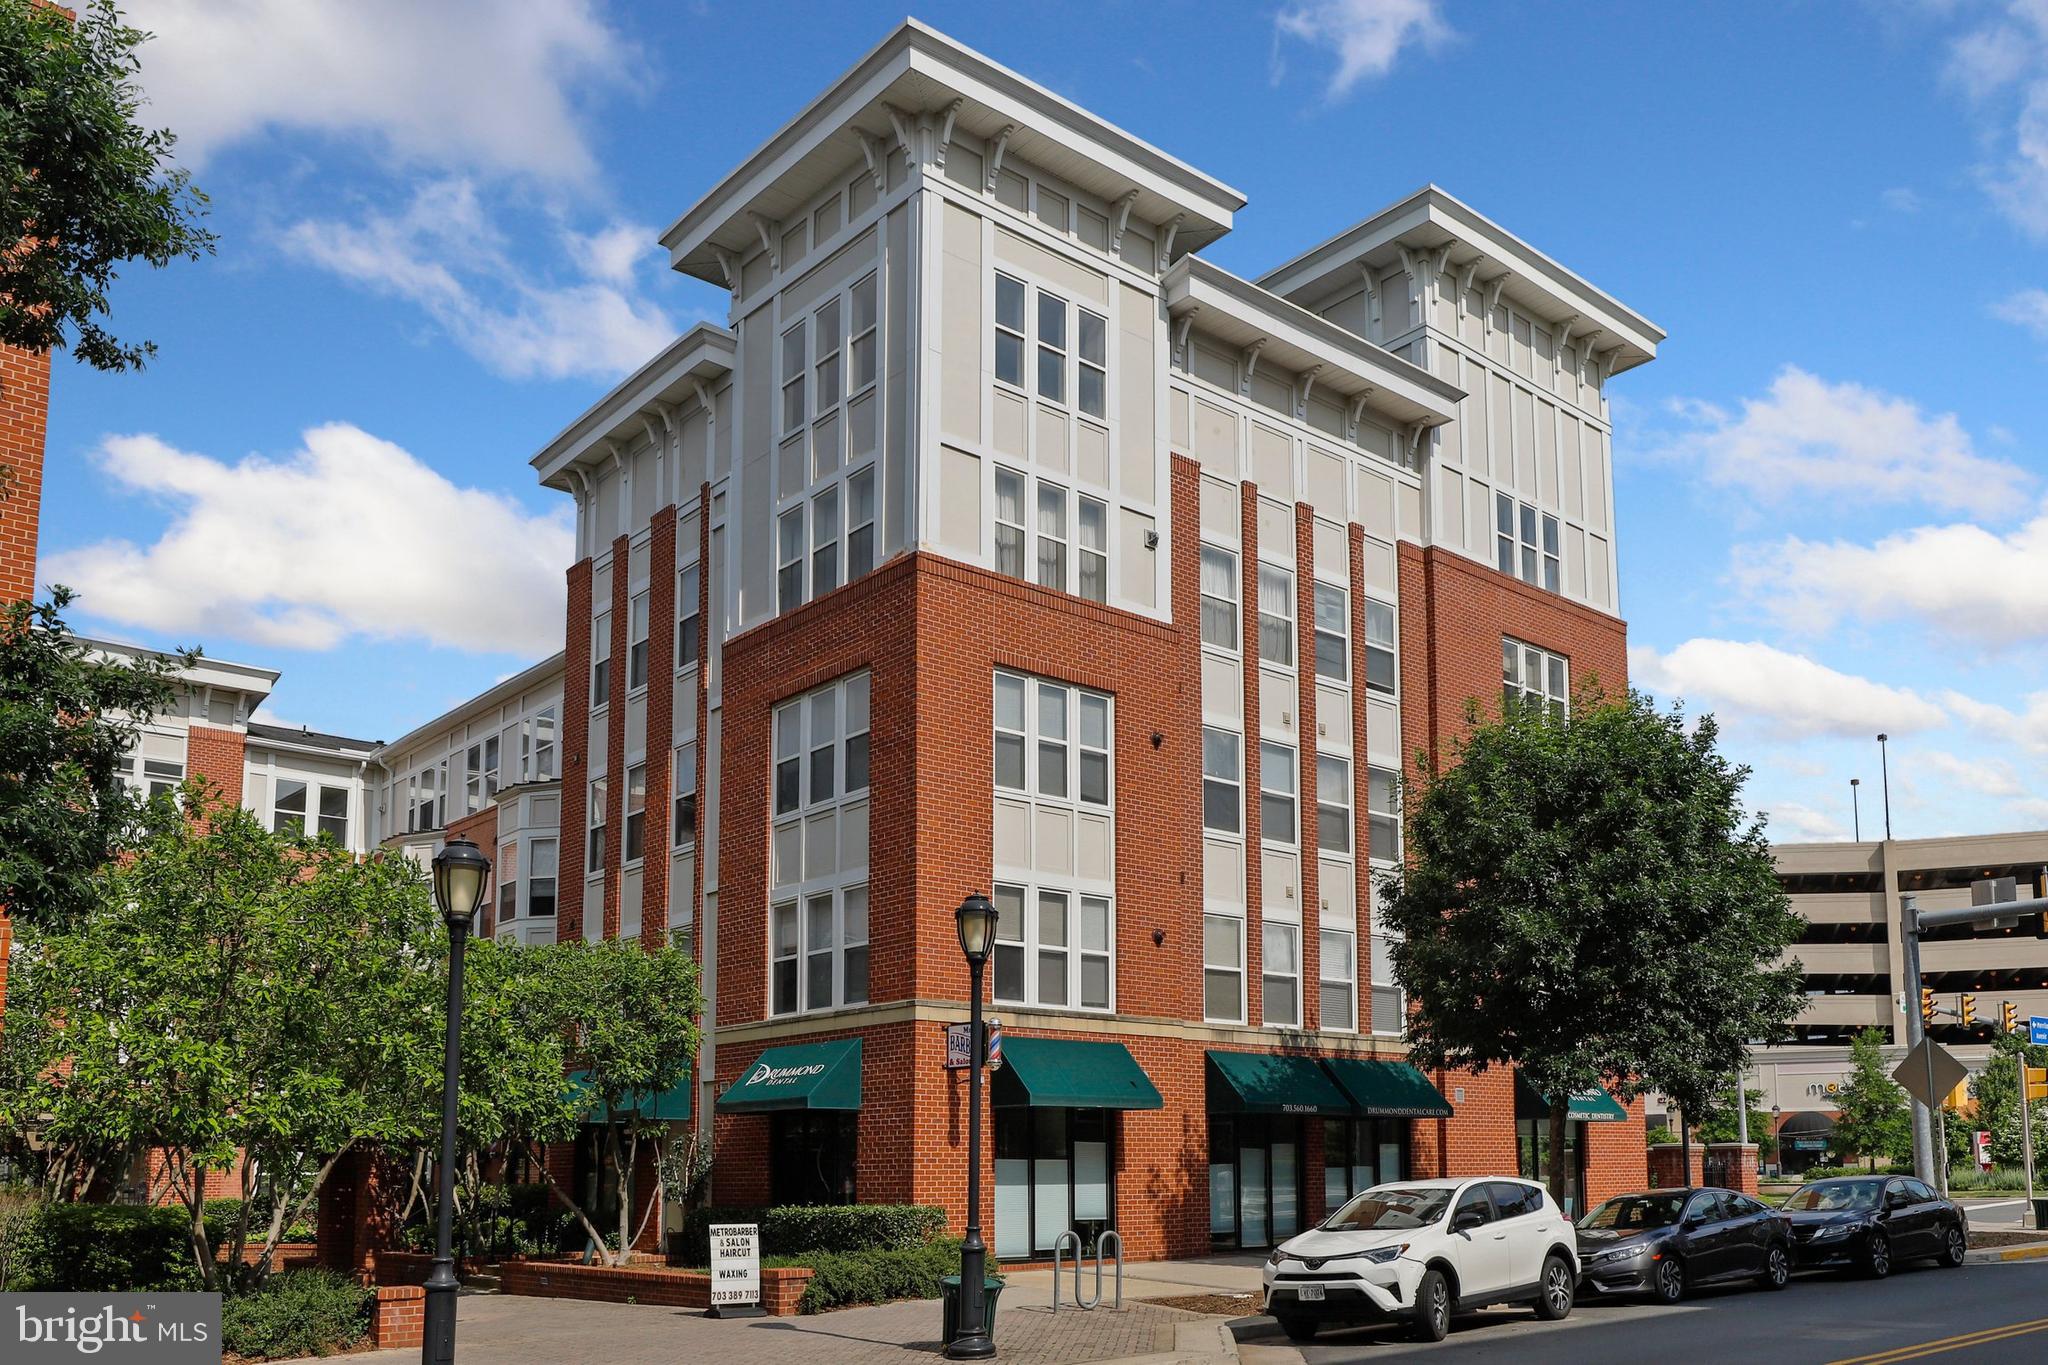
458, 83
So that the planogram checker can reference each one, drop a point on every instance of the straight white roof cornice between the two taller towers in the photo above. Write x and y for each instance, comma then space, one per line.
1299, 341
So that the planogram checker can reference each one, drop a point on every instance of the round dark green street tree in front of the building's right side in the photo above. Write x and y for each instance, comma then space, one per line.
1586, 901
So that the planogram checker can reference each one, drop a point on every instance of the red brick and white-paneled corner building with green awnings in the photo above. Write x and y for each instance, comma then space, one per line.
1002, 543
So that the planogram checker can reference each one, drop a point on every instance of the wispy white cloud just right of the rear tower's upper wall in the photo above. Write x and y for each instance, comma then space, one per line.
1816, 437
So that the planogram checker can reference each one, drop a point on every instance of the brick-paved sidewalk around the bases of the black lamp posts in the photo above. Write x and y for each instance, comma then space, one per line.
525, 1331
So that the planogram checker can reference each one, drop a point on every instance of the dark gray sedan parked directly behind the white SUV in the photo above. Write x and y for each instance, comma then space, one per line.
1668, 1241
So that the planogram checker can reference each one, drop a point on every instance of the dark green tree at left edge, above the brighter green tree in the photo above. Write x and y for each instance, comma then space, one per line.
67, 725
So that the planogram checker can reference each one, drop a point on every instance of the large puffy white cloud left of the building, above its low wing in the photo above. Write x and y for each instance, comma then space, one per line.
351, 537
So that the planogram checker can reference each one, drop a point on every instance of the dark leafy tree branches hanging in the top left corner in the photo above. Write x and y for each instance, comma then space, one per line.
83, 185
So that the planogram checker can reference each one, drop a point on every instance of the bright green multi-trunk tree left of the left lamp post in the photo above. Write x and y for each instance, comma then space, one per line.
234, 1002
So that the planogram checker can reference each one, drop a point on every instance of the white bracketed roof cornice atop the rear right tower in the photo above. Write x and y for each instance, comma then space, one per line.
1431, 218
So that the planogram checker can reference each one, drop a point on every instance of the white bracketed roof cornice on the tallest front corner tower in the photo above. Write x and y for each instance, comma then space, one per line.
916, 69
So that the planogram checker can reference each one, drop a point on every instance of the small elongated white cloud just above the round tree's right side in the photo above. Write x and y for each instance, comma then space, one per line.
1777, 693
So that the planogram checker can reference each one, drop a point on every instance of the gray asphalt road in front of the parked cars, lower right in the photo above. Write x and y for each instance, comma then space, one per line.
1979, 1313
